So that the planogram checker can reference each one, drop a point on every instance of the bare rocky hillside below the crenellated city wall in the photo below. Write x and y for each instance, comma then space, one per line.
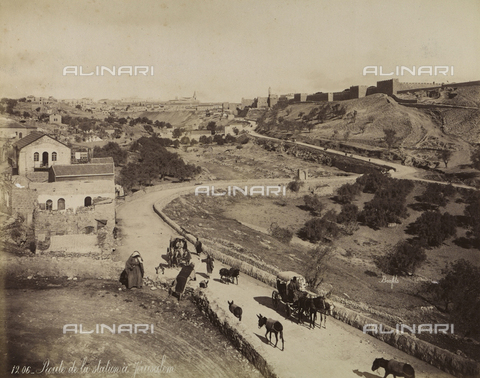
420, 132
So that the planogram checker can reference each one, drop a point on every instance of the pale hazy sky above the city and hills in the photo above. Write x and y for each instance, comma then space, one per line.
229, 49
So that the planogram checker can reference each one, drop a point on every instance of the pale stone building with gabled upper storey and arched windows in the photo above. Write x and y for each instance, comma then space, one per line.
69, 206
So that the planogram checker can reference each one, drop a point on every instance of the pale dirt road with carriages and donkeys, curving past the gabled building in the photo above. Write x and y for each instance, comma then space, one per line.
337, 351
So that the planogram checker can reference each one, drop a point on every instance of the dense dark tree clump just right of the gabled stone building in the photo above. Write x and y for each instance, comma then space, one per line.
154, 163
